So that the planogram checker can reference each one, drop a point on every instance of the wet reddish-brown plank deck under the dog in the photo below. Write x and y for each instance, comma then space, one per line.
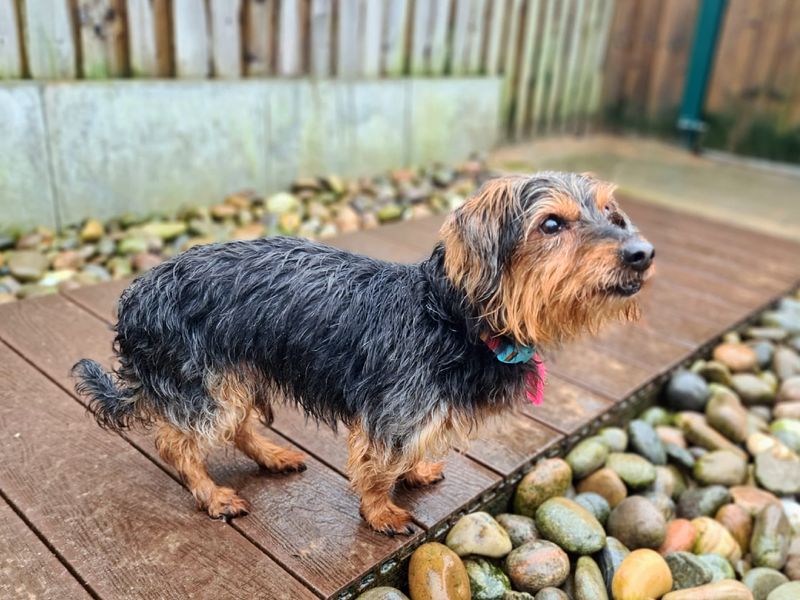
85, 513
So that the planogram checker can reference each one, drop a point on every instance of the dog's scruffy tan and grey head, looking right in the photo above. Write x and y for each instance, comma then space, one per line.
546, 257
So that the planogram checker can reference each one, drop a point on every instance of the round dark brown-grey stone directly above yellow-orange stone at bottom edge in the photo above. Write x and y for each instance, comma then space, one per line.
637, 523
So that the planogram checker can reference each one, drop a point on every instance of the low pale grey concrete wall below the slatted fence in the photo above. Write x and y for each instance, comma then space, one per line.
70, 150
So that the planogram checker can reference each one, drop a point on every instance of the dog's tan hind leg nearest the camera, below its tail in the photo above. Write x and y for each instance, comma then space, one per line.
185, 453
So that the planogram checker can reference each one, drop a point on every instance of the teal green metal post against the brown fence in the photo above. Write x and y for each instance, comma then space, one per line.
709, 24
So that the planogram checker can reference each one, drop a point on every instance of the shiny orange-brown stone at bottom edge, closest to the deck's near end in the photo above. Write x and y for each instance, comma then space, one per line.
436, 573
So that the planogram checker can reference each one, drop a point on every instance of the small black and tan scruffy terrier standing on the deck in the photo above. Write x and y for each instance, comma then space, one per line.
410, 357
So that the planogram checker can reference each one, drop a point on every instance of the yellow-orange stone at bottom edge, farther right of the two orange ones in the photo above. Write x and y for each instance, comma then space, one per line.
643, 575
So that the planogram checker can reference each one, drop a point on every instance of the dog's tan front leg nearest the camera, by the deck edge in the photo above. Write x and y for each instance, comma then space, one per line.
373, 472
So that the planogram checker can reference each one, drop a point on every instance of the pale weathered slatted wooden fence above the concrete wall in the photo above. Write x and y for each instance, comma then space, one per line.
549, 52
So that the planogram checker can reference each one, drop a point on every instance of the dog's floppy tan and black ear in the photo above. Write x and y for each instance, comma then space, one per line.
480, 237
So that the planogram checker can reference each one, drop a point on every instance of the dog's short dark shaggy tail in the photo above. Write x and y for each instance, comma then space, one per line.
114, 406
